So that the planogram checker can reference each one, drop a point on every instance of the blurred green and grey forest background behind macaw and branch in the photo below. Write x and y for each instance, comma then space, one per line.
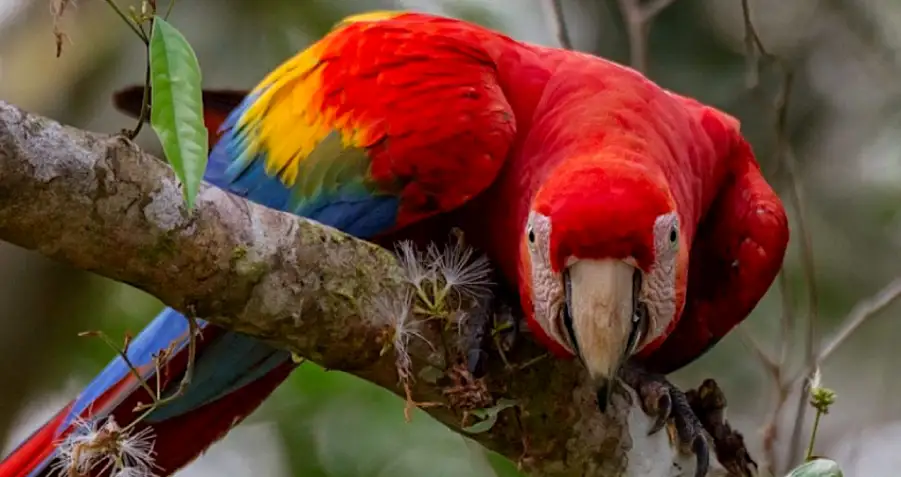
843, 126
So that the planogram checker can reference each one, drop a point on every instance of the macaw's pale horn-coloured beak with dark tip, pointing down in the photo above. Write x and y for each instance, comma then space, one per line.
600, 318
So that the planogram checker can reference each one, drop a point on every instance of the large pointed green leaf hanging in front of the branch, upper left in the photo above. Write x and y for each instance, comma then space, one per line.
177, 112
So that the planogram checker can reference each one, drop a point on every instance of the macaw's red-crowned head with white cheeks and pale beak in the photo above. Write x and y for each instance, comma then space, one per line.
604, 264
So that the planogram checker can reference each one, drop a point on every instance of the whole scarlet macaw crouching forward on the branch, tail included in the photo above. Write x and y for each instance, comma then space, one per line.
632, 221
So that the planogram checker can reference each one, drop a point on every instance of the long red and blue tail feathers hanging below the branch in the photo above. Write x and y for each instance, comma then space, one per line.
232, 375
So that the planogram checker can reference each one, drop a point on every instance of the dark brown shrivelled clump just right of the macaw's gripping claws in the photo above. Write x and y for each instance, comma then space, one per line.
709, 404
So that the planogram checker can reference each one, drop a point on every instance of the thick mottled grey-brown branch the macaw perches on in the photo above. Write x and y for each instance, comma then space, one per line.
100, 204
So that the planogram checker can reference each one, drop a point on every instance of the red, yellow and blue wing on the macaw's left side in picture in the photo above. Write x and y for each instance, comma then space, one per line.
387, 120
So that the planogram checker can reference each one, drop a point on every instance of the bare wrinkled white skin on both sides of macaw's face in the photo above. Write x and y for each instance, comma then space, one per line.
658, 291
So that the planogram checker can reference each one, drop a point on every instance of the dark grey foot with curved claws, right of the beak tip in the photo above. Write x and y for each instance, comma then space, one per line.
663, 400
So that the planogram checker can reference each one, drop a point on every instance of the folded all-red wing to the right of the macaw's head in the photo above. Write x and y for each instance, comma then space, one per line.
736, 255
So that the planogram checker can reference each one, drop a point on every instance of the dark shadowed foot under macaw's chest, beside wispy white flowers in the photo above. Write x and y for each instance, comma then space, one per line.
493, 321
